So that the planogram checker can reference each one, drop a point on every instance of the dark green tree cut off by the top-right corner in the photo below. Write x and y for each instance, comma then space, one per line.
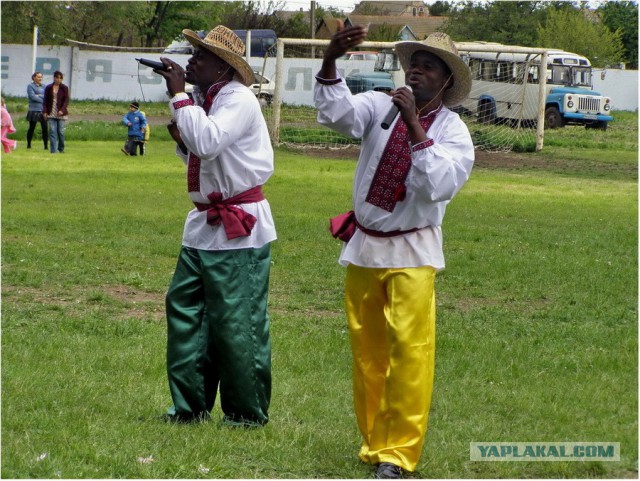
623, 17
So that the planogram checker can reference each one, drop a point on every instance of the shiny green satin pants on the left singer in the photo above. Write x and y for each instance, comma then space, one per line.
218, 334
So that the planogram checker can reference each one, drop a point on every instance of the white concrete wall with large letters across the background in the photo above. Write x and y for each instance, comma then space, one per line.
117, 76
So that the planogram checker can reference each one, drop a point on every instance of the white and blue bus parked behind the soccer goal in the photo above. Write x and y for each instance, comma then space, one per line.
505, 89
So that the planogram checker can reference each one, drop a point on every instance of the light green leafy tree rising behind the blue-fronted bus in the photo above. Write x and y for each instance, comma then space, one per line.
571, 30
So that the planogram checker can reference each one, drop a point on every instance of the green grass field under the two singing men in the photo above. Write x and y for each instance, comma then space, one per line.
537, 317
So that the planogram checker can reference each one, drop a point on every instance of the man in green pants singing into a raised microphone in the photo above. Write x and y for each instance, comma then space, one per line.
218, 325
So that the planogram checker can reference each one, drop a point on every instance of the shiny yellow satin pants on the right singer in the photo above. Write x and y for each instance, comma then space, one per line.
391, 315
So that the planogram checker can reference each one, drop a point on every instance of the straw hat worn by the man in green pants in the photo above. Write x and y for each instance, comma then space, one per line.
227, 45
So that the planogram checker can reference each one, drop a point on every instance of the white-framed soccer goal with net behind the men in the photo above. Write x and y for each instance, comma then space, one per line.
504, 111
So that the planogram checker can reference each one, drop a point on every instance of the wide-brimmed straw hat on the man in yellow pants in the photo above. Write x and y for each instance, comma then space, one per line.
441, 45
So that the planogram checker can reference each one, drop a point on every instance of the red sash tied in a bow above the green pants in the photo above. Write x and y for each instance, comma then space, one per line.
236, 222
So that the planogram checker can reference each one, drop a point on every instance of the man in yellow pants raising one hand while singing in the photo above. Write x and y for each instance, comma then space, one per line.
404, 179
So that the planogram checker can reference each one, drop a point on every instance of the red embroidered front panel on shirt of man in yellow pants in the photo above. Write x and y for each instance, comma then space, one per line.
388, 184
